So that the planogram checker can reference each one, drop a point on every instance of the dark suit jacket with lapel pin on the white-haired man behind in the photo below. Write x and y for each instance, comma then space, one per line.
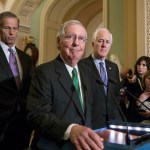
105, 108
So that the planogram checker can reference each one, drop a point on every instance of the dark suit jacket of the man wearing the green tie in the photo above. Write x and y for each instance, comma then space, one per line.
53, 104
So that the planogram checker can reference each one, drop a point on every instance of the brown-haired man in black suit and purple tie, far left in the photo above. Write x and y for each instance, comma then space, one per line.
14, 133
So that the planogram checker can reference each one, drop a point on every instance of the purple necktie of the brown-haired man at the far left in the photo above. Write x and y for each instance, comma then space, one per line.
14, 67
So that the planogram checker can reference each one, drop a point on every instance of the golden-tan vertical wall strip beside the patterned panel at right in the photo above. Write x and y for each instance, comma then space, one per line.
130, 44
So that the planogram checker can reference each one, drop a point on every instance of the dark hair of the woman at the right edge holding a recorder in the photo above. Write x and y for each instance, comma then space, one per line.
146, 59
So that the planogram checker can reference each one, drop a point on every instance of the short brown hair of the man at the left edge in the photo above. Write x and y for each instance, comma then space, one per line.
7, 14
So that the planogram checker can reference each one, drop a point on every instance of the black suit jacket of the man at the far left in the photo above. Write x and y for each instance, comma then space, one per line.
12, 119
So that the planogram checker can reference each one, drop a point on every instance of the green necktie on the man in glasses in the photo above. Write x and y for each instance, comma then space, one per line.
76, 84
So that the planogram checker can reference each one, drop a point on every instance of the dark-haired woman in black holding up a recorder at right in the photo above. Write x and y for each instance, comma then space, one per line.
134, 85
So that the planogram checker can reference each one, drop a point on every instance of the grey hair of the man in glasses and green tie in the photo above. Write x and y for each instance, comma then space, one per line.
61, 31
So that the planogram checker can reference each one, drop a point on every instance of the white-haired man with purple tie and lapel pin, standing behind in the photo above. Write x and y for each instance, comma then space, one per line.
105, 109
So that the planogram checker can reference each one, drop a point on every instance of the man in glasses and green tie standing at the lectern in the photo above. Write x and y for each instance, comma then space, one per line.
62, 116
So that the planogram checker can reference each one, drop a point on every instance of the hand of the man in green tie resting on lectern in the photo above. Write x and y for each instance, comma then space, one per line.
85, 139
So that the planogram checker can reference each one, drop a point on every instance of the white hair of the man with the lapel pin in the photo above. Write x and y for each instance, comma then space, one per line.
98, 30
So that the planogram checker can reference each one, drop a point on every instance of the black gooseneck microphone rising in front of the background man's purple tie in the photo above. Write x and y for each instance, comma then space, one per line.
118, 106
